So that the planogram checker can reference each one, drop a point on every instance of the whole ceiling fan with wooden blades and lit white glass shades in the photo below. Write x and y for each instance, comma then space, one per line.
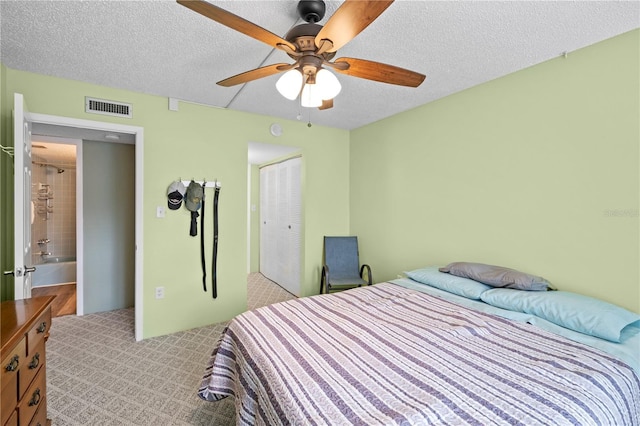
313, 46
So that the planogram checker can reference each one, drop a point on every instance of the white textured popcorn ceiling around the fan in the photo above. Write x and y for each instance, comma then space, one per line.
161, 48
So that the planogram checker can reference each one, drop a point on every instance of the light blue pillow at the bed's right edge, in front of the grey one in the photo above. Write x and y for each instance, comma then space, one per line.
580, 313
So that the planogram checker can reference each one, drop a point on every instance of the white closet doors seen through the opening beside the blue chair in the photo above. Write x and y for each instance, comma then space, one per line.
280, 223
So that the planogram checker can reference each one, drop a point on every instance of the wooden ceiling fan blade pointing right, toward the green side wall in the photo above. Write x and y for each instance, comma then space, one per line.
377, 71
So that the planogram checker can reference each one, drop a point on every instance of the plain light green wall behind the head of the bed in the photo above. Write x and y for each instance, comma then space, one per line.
538, 171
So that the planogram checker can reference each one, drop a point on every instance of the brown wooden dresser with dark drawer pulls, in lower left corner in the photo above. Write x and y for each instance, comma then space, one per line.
24, 330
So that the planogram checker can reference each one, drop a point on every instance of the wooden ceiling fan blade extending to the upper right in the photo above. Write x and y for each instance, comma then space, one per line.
348, 21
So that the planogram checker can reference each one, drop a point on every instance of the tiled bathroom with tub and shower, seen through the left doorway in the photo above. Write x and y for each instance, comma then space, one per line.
53, 224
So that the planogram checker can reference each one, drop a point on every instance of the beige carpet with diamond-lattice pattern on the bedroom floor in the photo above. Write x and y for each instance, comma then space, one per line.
97, 374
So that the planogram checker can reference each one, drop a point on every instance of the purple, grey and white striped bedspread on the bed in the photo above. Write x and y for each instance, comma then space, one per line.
387, 355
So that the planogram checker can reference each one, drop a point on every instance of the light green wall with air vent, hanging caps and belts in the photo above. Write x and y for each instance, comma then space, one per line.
201, 142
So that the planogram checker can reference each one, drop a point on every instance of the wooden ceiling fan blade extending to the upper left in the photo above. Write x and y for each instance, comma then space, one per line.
236, 23
